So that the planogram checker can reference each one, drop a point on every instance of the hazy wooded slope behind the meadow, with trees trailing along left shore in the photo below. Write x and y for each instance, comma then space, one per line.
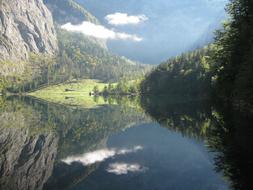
81, 58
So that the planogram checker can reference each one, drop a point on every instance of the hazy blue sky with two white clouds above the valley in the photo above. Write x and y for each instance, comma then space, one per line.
151, 31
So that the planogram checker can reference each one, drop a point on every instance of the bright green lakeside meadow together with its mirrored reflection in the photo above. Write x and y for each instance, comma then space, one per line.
75, 93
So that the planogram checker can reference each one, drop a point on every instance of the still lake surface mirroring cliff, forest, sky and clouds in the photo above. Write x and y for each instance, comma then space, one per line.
159, 144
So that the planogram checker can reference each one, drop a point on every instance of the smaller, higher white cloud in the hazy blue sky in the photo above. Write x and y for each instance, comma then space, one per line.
125, 19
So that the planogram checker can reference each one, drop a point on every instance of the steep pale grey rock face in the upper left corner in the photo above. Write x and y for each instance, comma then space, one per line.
25, 26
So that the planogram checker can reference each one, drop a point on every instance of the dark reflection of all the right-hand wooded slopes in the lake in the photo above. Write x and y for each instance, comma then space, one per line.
227, 133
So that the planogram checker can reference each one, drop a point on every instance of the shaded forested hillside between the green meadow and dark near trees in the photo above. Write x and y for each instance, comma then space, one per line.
187, 74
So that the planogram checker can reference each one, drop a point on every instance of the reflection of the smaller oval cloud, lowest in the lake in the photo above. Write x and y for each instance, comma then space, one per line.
124, 168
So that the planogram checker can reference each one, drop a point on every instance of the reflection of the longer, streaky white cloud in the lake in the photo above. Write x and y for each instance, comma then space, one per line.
99, 155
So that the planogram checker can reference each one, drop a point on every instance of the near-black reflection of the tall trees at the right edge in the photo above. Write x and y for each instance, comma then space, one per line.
231, 140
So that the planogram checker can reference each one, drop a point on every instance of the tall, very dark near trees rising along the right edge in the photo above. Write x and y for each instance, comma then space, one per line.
234, 55
